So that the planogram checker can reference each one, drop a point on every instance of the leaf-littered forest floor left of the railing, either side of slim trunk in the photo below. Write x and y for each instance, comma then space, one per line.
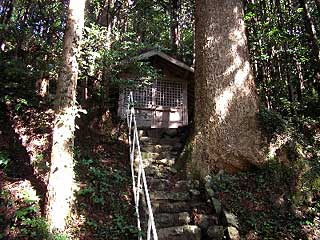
103, 208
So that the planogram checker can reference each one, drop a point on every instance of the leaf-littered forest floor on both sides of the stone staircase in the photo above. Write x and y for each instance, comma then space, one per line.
103, 210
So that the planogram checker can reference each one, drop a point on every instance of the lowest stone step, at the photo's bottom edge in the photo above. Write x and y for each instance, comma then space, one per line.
185, 232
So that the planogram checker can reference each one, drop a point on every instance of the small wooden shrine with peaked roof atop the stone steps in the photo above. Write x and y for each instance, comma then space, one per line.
164, 102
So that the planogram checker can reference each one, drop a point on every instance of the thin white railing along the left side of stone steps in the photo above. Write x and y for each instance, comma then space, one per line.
139, 180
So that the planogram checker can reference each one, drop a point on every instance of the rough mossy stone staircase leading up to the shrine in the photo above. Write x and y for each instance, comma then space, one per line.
180, 207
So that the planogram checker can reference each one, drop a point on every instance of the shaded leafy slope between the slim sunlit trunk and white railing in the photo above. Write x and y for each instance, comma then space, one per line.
104, 201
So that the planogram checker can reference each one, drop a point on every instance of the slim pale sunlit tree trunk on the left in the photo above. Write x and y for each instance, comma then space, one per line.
61, 179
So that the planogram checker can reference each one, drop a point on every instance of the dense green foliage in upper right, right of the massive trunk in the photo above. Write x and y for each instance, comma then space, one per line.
283, 57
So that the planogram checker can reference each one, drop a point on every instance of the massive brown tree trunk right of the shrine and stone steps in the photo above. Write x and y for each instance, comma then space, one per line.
226, 130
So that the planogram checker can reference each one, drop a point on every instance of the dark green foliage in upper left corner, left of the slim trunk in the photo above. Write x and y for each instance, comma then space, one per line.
31, 41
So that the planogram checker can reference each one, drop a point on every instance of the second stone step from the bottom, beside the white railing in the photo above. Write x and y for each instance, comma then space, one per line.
164, 220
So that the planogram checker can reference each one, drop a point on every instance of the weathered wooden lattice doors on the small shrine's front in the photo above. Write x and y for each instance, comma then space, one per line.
162, 104
